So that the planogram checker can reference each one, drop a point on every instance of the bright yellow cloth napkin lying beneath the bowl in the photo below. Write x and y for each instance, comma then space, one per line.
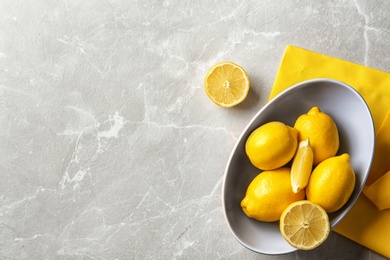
365, 223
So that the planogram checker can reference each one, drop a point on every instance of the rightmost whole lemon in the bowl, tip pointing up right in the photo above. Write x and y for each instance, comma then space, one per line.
331, 183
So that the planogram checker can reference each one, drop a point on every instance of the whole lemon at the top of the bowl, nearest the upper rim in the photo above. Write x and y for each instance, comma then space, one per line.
322, 131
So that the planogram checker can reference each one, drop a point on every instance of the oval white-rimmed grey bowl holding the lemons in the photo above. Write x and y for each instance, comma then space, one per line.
357, 138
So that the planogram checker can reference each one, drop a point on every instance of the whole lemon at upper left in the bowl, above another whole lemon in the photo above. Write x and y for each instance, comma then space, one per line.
272, 145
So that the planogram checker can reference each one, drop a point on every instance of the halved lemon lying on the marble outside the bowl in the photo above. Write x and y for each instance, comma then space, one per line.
226, 84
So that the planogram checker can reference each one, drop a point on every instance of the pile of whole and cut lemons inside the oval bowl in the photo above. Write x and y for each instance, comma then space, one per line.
317, 180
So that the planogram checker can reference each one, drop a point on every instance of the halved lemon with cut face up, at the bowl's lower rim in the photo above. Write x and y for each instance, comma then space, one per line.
304, 225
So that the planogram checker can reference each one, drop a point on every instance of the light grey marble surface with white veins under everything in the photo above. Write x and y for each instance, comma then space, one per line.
110, 148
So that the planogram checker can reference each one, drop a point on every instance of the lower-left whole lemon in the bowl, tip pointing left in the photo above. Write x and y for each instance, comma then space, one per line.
269, 194
